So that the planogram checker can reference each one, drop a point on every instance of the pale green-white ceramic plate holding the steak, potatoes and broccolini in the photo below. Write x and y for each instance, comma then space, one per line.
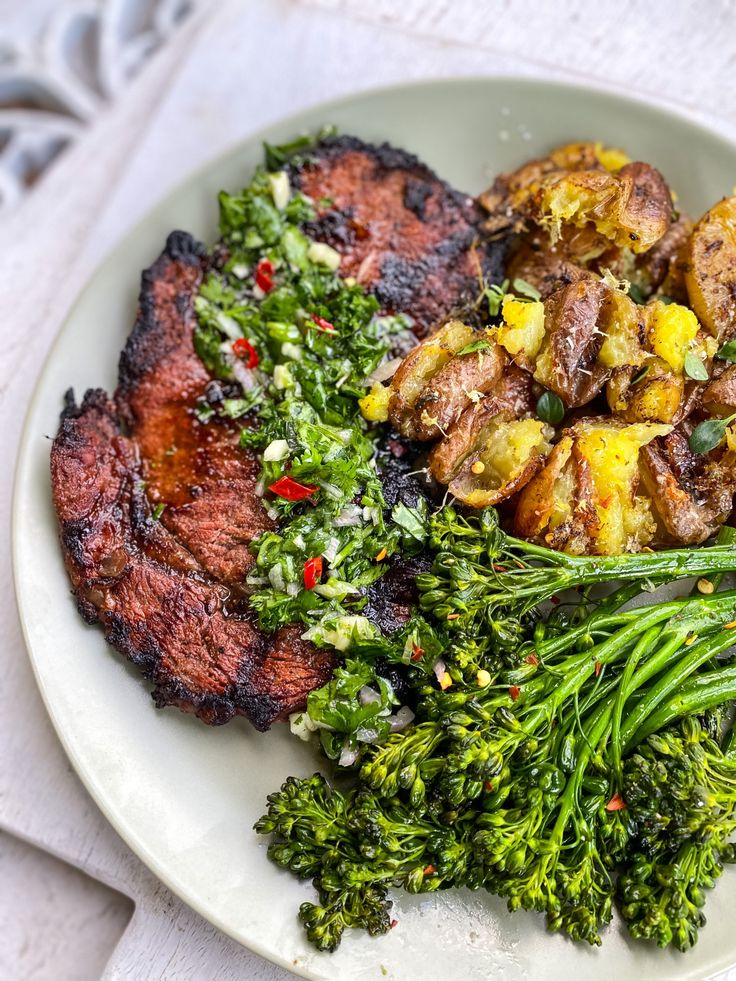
184, 796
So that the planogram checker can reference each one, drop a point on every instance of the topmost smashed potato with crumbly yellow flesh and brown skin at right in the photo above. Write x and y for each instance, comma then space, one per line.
632, 207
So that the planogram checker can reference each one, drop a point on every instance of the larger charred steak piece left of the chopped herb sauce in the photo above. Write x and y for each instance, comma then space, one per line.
164, 590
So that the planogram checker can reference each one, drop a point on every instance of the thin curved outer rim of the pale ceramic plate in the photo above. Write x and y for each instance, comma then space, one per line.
24, 453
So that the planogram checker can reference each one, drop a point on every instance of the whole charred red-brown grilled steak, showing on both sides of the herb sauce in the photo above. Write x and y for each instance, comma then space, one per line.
168, 588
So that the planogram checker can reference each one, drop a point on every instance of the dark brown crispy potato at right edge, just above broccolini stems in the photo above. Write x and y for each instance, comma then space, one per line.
692, 494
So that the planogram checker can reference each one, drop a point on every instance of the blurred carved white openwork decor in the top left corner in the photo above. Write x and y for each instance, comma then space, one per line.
53, 86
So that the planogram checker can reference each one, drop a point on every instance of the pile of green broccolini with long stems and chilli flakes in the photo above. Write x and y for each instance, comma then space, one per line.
545, 786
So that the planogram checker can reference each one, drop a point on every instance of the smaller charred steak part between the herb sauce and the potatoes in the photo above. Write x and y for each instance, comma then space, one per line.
402, 232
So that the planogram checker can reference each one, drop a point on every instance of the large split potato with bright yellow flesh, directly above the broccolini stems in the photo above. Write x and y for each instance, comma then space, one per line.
584, 500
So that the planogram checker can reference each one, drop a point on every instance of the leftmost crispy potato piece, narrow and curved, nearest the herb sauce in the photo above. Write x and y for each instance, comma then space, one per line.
418, 368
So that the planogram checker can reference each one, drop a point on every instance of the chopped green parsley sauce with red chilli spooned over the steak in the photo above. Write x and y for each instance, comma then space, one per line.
311, 339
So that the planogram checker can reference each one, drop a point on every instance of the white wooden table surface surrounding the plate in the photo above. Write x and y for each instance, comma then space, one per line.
233, 67
